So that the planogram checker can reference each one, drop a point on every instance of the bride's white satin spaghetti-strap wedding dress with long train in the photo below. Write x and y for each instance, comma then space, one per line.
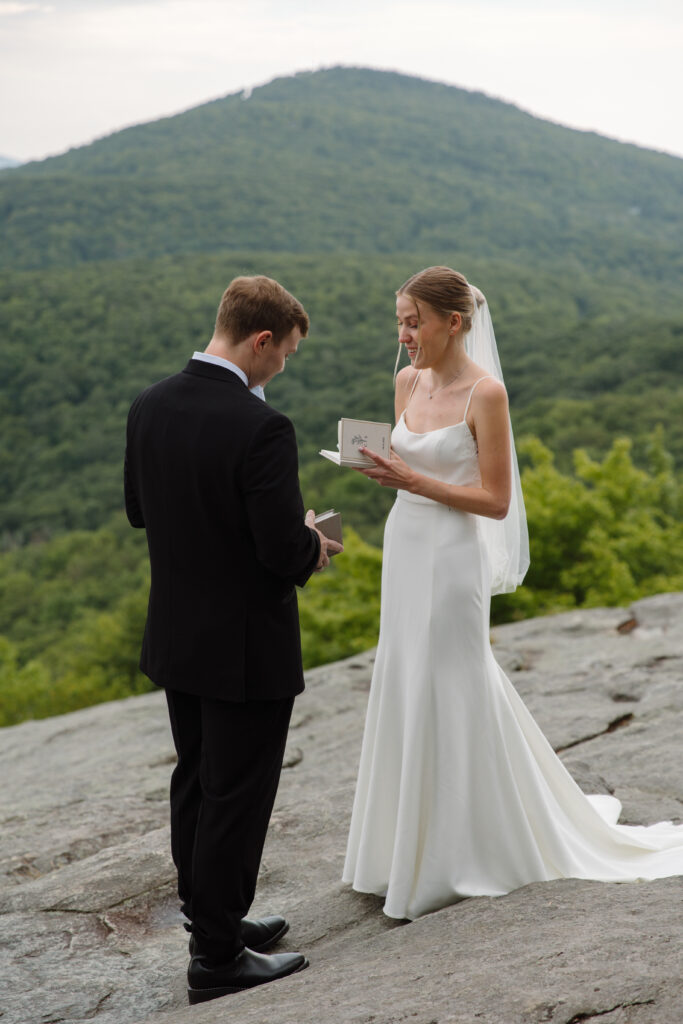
459, 793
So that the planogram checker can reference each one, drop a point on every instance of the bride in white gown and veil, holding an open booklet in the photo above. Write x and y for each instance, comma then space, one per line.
459, 793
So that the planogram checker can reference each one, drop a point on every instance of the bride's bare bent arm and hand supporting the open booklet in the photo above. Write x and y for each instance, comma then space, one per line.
490, 414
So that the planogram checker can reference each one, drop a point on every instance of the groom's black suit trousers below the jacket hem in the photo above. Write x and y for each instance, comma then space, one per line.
223, 792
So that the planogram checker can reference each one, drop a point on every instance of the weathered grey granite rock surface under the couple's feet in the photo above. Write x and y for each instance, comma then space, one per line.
91, 925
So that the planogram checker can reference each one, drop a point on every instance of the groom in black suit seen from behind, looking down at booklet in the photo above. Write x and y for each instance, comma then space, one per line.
211, 474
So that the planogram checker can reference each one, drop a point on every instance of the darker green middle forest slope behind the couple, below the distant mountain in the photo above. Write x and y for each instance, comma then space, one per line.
586, 359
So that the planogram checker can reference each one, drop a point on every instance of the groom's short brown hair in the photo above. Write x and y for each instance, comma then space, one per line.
252, 305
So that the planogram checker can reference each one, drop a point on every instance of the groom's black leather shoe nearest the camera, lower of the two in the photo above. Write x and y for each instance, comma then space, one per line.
207, 980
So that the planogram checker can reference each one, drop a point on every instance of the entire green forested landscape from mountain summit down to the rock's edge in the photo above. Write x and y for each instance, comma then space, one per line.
339, 184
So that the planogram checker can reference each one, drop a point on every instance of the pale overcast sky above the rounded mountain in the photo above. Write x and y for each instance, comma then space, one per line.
74, 70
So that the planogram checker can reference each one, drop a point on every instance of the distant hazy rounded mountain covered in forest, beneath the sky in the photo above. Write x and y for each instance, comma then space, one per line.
351, 160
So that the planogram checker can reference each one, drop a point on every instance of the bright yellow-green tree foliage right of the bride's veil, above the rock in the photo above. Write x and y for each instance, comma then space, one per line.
607, 537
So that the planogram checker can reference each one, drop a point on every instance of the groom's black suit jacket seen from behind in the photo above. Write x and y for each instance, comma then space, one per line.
212, 475
